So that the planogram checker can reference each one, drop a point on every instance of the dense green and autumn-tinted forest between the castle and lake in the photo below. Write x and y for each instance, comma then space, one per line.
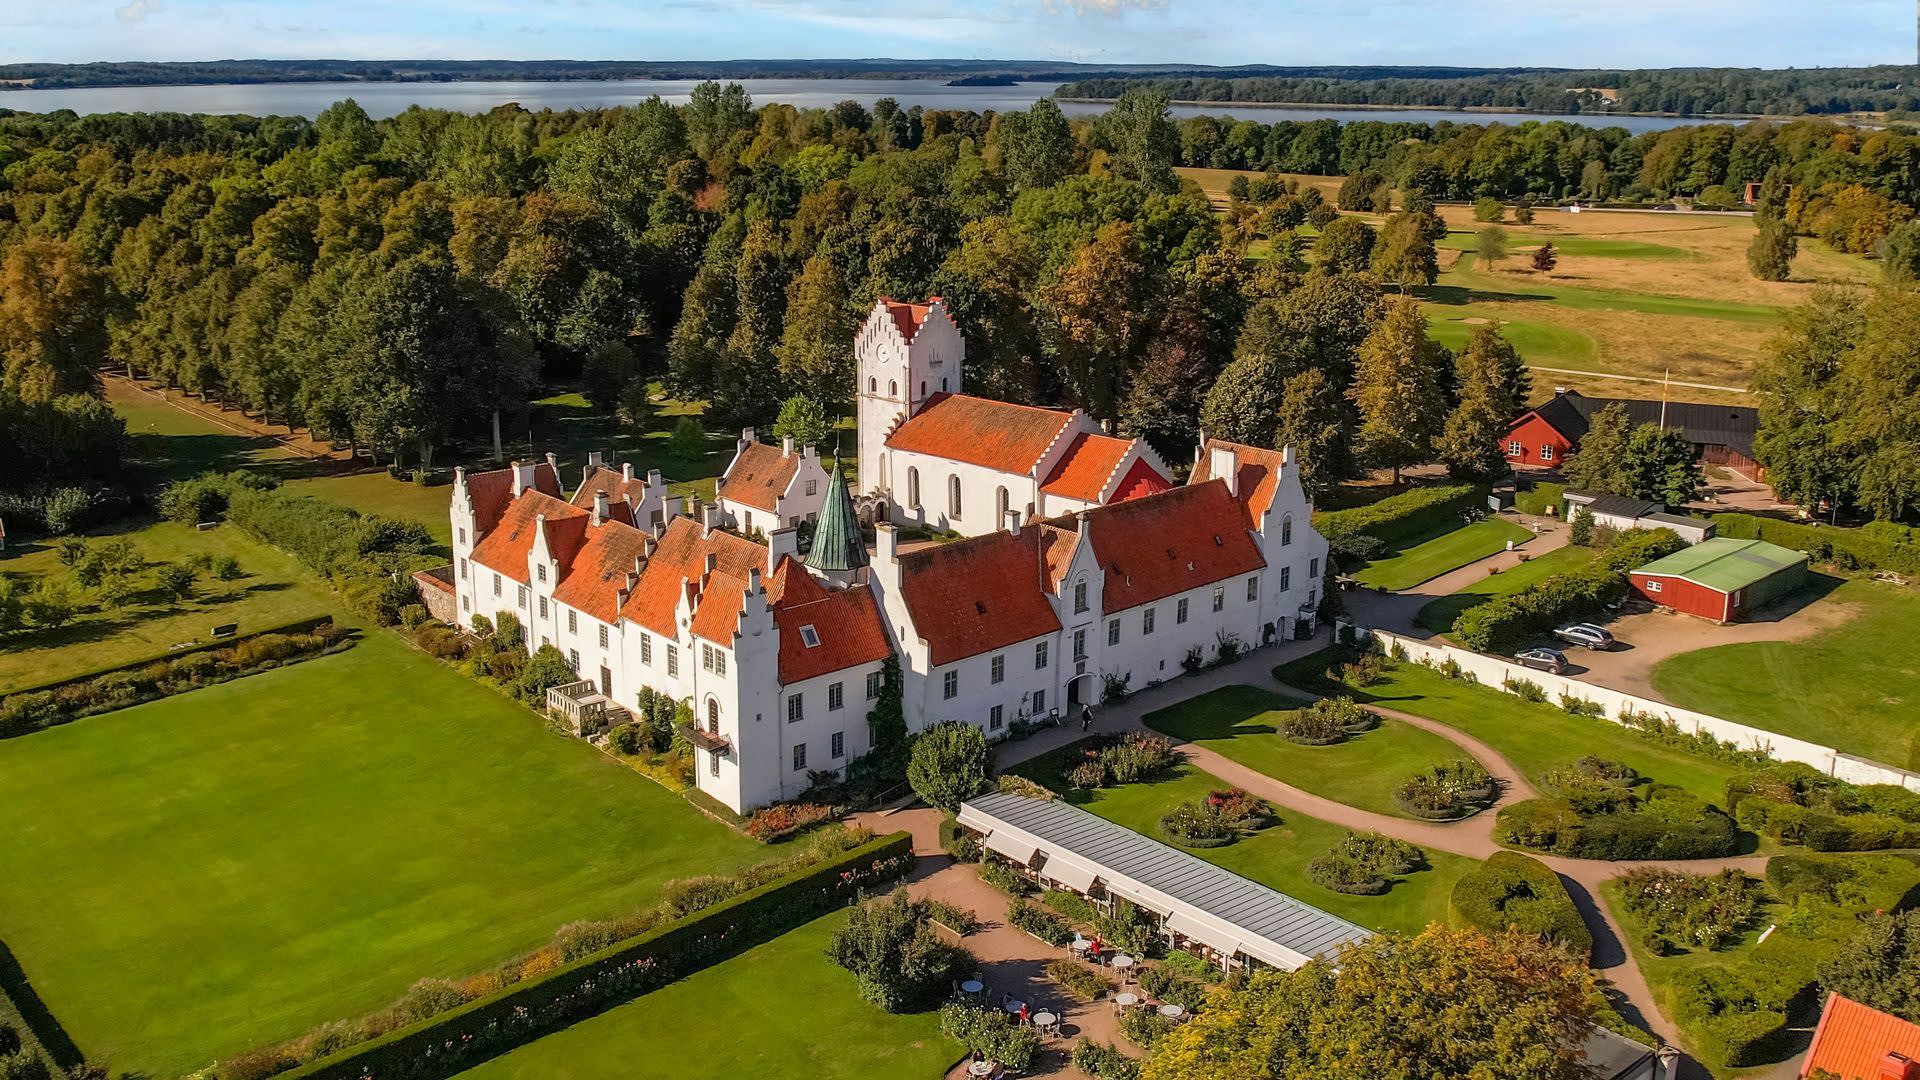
404, 285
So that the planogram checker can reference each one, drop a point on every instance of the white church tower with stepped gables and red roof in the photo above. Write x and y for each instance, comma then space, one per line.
905, 355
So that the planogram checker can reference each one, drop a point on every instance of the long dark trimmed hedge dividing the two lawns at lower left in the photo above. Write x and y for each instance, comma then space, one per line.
525, 1012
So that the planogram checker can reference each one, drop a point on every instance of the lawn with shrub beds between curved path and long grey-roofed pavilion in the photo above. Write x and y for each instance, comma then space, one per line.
1276, 856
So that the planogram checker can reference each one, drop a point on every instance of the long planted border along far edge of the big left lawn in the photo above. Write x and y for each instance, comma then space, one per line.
149, 681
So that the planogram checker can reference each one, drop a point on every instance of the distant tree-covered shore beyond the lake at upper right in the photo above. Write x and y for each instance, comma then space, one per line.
1683, 91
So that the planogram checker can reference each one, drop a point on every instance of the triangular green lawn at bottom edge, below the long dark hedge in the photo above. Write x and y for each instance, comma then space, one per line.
780, 1010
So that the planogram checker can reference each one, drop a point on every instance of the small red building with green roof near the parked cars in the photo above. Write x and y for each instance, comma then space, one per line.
1723, 579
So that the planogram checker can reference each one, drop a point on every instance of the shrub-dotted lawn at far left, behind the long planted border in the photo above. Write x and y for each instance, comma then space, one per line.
274, 591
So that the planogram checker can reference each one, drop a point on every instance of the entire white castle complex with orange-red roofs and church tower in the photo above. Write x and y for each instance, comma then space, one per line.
1084, 570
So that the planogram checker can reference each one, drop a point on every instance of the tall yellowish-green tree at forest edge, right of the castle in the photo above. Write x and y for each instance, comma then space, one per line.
1397, 389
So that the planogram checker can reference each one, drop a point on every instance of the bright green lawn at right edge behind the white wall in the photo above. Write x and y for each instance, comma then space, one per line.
1854, 687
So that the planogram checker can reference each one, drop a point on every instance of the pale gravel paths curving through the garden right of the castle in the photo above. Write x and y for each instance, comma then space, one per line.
1472, 837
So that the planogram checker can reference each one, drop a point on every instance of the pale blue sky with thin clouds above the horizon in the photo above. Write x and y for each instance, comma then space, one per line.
1564, 34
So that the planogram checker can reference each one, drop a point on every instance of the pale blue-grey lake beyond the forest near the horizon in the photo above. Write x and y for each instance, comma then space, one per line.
391, 99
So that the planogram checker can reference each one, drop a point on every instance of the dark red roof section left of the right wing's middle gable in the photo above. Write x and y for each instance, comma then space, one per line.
980, 595
